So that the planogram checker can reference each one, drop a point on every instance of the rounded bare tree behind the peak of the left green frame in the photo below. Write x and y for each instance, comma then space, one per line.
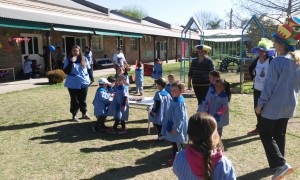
205, 18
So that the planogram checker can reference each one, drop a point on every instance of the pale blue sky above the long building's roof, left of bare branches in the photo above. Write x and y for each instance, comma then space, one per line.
171, 11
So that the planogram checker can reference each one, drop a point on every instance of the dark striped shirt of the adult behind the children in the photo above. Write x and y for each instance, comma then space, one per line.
199, 71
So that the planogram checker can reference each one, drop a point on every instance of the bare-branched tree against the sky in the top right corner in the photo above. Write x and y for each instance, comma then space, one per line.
273, 9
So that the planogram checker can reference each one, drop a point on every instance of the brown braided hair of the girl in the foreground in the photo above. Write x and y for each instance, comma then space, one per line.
202, 132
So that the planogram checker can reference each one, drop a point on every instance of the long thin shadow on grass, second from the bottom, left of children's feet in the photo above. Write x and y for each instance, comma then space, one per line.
137, 144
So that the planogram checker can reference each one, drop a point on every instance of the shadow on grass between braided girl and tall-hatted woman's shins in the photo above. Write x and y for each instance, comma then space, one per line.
236, 141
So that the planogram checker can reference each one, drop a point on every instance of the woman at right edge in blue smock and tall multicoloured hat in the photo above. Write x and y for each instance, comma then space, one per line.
279, 97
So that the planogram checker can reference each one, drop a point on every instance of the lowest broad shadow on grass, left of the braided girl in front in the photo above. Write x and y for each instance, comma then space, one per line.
153, 162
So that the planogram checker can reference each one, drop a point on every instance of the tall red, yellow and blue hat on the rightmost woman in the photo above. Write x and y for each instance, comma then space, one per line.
288, 34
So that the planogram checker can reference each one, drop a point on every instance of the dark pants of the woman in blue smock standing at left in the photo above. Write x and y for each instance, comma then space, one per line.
78, 100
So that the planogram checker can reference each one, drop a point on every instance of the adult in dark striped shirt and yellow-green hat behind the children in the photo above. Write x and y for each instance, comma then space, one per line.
199, 72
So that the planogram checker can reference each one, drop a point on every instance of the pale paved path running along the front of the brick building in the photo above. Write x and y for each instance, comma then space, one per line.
38, 82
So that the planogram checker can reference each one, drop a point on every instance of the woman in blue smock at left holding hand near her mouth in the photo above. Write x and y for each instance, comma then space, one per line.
78, 72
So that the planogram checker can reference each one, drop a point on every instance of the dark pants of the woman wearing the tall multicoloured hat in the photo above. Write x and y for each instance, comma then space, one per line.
272, 135
